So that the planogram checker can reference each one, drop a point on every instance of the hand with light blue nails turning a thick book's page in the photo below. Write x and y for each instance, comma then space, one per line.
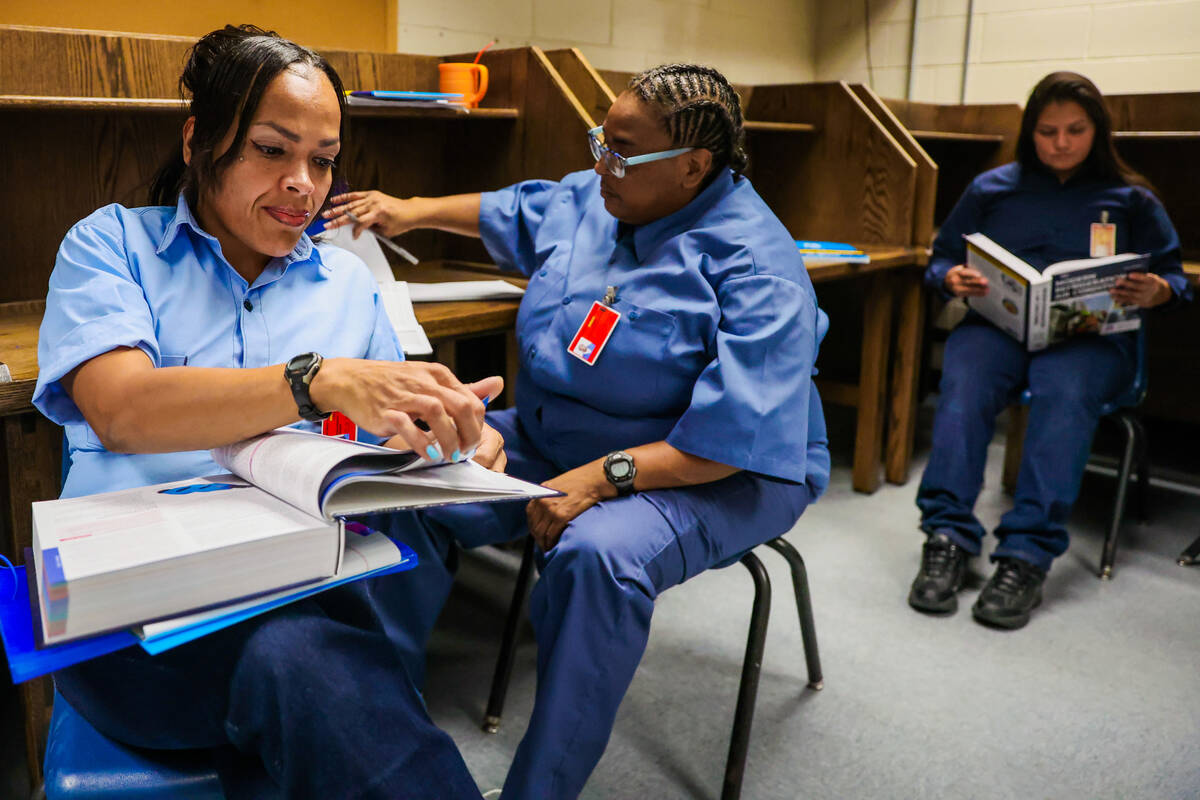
387, 398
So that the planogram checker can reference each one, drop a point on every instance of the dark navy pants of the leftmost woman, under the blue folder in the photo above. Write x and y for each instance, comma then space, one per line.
310, 701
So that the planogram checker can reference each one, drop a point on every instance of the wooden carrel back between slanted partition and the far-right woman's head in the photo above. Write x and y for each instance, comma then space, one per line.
963, 141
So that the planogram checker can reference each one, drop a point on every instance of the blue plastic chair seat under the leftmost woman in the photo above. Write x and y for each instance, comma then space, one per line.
85, 765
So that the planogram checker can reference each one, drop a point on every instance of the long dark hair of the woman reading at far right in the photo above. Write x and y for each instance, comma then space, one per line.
1103, 163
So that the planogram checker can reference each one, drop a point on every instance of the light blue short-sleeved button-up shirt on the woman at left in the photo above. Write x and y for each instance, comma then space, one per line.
153, 279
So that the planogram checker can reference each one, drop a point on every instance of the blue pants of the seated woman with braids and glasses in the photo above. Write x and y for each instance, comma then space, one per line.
593, 601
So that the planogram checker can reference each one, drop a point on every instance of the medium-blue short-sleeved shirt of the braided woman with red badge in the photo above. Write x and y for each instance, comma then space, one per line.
717, 342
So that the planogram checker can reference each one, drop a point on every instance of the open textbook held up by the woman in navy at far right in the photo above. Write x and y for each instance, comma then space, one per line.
1066, 299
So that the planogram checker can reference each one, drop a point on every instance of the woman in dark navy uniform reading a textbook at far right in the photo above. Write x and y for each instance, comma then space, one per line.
1054, 204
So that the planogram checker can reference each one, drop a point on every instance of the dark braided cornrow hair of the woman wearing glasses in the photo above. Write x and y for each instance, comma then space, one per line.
699, 109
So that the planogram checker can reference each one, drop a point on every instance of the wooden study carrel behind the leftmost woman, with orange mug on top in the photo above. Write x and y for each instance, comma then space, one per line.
87, 118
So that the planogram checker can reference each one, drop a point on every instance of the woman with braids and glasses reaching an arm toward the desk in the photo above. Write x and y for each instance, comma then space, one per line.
683, 440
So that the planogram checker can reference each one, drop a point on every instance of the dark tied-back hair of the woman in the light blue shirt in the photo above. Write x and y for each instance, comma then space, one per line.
226, 75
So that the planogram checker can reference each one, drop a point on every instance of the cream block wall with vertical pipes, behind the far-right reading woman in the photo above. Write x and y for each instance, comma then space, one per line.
1141, 46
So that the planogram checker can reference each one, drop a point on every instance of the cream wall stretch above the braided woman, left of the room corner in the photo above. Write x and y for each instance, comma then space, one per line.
751, 41
